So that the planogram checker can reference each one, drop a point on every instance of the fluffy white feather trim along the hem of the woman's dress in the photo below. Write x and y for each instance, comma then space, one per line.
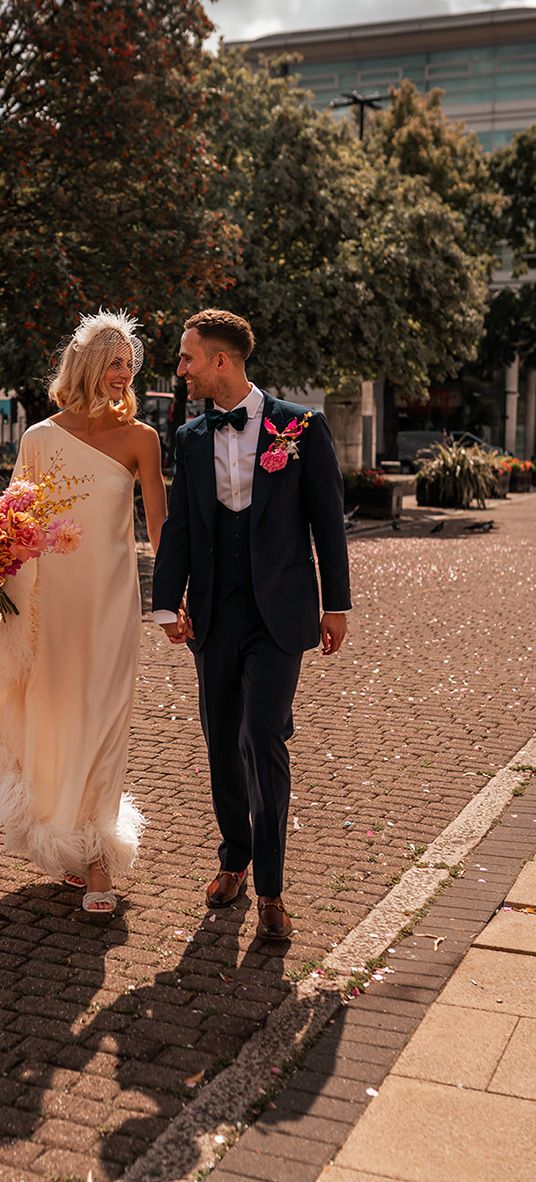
113, 841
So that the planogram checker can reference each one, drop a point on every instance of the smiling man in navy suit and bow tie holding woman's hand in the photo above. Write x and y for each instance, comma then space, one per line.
255, 477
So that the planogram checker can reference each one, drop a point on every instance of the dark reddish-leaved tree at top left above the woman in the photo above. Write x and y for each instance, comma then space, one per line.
106, 174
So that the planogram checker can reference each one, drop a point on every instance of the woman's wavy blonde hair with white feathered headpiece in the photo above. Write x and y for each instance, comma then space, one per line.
78, 381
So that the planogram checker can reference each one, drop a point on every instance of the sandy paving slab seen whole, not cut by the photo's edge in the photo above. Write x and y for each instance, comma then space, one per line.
457, 1047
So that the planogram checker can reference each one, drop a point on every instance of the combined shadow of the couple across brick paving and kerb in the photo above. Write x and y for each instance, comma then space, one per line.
63, 1049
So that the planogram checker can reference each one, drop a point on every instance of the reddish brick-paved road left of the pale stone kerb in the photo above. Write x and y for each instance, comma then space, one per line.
108, 1030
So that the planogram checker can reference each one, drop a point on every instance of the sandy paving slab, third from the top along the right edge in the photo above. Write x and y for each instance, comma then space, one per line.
499, 982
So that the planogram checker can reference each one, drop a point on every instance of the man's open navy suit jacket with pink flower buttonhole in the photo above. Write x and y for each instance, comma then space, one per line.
287, 506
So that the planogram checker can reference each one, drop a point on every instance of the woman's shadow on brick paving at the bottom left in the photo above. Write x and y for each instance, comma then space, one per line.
53, 965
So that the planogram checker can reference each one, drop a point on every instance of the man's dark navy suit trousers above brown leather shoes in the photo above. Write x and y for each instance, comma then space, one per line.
247, 687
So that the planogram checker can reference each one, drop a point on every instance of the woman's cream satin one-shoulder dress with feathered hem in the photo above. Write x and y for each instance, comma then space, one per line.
68, 674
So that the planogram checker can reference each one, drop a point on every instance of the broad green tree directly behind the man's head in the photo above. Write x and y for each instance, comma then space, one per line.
350, 267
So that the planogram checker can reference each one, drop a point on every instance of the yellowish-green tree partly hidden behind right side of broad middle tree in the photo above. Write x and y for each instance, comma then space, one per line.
415, 137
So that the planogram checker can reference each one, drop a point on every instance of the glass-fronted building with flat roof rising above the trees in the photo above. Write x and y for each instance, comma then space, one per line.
485, 62
